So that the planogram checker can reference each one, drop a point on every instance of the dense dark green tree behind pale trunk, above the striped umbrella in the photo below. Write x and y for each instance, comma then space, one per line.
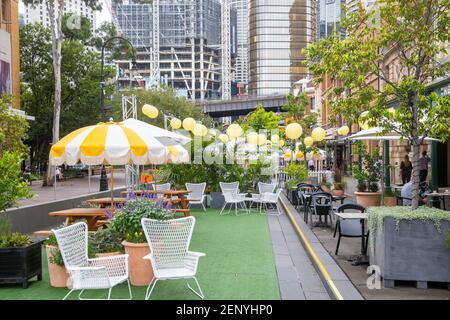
80, 83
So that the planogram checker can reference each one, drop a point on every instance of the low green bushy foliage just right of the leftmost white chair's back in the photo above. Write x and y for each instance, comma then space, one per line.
106, 242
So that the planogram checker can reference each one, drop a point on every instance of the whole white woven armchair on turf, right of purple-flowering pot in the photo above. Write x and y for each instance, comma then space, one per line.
169, 251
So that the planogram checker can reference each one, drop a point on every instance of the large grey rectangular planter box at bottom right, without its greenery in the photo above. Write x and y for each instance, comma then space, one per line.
415, 252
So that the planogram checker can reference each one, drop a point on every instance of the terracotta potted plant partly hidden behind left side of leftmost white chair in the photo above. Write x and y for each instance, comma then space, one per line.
57, 272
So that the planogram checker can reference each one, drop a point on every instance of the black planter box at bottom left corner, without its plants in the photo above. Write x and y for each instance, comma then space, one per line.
18, 265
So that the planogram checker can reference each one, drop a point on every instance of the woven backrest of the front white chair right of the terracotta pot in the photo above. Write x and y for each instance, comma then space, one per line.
168, 240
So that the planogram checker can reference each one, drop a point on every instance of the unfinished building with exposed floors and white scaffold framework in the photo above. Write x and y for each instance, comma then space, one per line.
178, 44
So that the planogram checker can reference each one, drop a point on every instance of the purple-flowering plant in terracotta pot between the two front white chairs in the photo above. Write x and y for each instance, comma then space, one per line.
127, 222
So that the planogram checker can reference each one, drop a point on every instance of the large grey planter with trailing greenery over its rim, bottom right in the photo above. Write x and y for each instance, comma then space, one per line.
409, 244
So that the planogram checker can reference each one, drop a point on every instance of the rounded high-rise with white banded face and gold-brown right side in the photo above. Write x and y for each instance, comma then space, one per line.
279, 31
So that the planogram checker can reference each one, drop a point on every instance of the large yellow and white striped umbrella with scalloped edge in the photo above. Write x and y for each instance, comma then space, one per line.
119, 143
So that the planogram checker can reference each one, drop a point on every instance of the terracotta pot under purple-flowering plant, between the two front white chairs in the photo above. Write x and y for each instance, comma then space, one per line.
141, 272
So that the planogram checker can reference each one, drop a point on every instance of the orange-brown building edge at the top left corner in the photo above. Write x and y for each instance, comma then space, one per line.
9, 49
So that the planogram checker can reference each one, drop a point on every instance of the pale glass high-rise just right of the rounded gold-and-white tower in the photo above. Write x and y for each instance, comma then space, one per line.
329, 14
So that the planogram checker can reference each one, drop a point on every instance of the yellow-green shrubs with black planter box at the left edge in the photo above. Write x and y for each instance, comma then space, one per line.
20, 257
